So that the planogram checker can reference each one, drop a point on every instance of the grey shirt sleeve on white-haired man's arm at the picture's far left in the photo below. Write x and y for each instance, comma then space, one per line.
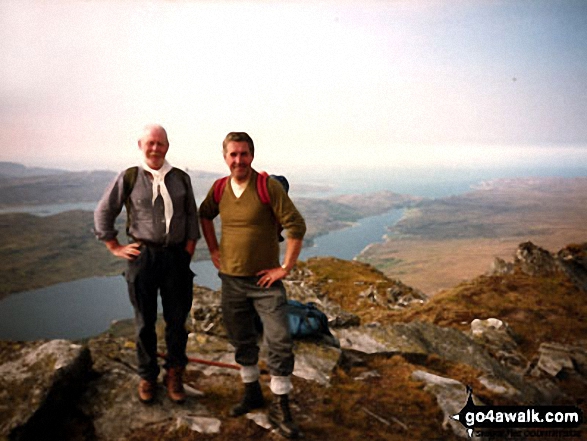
108, 209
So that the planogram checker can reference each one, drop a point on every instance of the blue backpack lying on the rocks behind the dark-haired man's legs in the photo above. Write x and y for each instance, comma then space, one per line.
306, 320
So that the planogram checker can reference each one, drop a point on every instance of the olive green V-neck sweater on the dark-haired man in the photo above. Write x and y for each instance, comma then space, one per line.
249, 240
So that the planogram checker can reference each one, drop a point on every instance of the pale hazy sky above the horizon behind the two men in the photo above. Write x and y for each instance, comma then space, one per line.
335, 83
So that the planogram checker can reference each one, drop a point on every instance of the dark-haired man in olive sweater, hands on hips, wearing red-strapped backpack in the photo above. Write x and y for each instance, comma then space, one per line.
249, 267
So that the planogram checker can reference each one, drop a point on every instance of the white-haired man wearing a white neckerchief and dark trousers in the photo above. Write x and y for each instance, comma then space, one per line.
163, 230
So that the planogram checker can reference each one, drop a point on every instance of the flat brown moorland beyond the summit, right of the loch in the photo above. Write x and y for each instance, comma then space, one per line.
445, 241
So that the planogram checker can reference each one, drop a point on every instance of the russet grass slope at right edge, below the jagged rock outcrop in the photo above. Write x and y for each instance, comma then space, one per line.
537, 308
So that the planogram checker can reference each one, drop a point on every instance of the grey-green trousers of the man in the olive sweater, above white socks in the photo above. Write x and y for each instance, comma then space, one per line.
243, 303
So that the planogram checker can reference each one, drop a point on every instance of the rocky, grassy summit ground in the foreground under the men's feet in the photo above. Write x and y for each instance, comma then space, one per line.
397, 368
